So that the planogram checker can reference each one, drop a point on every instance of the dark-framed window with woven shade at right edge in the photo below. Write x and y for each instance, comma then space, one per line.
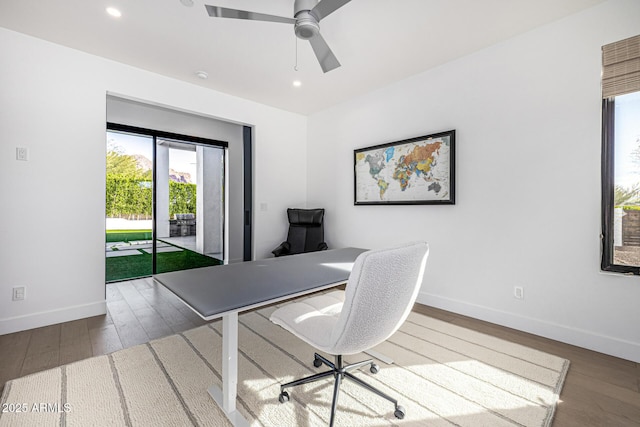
621, 156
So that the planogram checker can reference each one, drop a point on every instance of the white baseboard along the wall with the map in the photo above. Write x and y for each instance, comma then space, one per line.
579, 337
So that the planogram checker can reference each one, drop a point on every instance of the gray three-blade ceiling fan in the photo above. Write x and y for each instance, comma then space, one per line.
306, 15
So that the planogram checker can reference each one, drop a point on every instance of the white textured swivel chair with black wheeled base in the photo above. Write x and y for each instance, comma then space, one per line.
380, 293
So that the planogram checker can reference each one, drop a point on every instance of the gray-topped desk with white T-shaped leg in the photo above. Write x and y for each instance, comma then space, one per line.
225, 290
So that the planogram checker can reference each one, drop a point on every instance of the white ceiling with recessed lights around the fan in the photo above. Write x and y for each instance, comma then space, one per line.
377, 41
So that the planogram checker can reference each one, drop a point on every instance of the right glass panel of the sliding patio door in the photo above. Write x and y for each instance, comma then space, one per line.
189, 205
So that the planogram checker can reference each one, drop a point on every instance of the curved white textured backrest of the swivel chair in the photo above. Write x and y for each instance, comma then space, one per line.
380, 293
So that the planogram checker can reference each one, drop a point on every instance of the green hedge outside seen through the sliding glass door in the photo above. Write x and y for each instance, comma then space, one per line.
127, 197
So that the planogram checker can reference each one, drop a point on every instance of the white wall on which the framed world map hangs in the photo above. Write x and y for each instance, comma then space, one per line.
527, 117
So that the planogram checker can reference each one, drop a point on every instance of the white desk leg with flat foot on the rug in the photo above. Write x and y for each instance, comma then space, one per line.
226, 398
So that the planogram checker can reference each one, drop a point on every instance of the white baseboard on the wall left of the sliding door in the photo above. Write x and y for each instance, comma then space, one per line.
45, 318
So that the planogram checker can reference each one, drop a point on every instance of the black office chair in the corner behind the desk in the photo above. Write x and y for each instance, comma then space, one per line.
306, 232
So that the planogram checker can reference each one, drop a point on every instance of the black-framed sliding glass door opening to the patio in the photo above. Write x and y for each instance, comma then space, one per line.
164, 202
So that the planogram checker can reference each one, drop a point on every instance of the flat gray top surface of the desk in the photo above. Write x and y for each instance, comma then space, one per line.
214, 291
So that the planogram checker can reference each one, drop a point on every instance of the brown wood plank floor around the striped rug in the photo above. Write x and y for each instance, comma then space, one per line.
599, 390
